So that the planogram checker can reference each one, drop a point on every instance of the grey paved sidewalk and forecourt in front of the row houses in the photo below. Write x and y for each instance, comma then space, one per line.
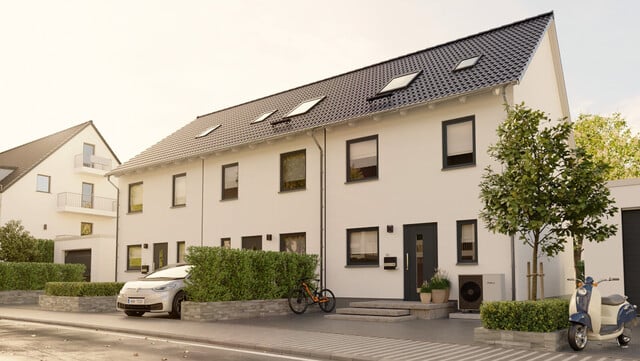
313, 336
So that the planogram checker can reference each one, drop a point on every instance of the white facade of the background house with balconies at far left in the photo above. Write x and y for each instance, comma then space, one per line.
39, 212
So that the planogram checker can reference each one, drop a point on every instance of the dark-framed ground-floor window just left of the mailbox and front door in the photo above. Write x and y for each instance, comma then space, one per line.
362, 247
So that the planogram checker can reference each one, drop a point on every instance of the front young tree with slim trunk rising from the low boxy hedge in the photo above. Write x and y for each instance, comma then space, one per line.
522, 199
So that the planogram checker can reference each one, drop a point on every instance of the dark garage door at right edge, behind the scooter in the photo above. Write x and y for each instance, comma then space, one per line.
631, 253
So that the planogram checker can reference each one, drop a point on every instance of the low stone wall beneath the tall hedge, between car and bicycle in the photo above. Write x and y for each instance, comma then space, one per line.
233, 310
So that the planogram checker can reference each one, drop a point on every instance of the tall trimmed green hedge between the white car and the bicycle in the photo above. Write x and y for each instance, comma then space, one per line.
221, 274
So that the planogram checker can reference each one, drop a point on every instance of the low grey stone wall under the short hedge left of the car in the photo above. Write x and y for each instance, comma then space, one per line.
78, 304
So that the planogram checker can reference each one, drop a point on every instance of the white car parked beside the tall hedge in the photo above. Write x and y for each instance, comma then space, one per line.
160, 291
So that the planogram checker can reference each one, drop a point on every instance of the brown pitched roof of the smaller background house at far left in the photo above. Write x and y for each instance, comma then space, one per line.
21, 159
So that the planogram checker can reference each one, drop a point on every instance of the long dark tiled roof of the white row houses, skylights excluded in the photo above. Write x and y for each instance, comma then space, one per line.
505, 54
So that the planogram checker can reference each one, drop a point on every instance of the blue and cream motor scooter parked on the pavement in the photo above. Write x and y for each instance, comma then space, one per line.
593, 317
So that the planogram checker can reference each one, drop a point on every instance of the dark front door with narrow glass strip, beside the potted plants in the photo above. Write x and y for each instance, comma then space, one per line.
420, 257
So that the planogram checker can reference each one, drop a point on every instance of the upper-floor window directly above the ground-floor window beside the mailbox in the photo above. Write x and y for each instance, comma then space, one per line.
362, 158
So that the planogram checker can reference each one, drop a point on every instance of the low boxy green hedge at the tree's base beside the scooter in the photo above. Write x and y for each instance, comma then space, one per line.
533, 316
